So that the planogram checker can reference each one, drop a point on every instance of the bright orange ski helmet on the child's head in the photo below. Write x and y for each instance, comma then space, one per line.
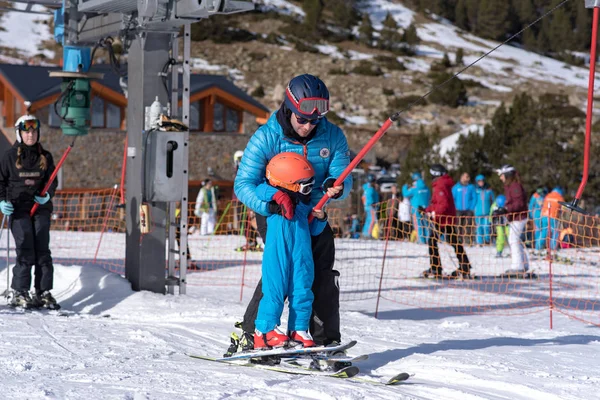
291, 171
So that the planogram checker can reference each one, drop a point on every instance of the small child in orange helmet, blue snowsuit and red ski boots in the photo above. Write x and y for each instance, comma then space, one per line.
288, 267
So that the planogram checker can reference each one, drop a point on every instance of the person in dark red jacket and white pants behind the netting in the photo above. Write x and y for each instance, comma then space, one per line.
516, 209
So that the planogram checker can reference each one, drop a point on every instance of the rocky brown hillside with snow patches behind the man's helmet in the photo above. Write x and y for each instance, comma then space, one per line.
377, 58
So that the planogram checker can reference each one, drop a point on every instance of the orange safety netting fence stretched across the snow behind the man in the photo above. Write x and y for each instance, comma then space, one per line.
562, 253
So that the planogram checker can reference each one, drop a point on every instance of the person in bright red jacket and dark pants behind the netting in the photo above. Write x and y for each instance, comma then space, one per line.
442, 213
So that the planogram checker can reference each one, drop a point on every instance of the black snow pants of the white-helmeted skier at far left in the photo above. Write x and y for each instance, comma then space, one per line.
32, 240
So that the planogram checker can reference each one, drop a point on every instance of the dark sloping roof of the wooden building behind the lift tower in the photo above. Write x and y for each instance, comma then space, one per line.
33, 82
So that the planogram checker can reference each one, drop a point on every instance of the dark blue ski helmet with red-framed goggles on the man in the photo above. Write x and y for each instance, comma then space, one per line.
307, 96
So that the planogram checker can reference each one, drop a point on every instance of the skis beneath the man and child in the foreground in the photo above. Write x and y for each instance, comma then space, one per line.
291, 357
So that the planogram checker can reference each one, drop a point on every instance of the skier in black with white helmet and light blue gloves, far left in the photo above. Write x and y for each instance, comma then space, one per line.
24, 171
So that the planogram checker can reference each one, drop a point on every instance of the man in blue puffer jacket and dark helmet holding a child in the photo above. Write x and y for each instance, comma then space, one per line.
300, 126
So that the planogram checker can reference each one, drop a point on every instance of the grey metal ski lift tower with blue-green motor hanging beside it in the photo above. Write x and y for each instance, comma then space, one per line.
157, 162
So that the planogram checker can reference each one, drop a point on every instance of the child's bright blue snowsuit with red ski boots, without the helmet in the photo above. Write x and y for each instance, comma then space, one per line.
287, 269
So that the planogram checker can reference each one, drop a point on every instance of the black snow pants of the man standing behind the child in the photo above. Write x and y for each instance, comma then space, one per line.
325, 320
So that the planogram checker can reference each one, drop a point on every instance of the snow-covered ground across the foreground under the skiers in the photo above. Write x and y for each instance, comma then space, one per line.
121, 344
